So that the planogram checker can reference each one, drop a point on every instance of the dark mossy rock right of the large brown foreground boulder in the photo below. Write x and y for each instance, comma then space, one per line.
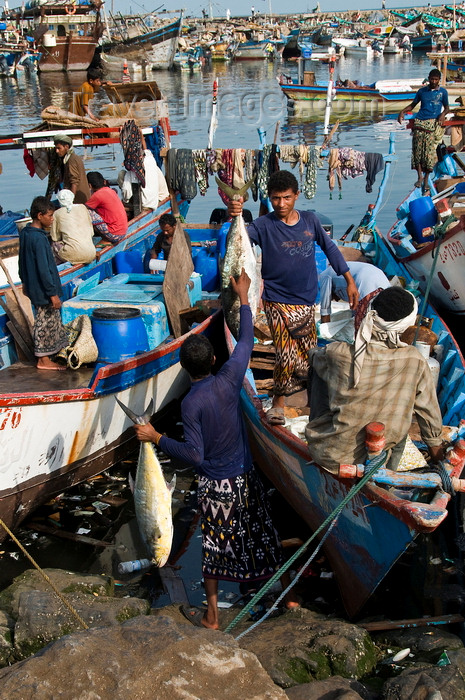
300, 647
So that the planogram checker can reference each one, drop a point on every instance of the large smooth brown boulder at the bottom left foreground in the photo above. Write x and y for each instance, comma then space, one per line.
148, 658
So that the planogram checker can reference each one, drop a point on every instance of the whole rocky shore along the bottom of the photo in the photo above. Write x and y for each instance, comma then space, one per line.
130, 650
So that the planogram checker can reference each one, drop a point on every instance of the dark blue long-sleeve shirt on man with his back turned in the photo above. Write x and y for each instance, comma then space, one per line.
216, 443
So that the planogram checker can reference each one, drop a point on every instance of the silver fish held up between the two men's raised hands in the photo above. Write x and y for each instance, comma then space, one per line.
239, 254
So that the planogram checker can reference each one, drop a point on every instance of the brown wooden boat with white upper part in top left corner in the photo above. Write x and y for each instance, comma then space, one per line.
66, 34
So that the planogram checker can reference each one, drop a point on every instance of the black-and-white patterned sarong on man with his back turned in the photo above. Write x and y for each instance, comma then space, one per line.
239, 542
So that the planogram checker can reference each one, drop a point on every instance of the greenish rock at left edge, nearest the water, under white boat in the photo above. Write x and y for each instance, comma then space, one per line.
64, 581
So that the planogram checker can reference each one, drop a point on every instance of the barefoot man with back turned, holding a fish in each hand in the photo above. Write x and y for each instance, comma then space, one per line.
239, 542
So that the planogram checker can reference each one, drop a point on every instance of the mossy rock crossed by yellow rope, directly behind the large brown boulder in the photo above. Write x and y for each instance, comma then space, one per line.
42, 617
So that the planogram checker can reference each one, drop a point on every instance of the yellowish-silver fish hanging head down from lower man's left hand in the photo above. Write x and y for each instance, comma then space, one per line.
152, 496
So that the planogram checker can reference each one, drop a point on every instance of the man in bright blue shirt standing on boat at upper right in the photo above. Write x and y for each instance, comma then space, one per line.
427, 127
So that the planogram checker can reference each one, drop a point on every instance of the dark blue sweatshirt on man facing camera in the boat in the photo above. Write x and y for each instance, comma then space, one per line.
288, 257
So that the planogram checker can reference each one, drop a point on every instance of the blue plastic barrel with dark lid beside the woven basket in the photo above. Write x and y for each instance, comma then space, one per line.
119, 333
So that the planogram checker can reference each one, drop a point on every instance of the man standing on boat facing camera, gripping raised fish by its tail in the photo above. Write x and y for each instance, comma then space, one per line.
287, 239
